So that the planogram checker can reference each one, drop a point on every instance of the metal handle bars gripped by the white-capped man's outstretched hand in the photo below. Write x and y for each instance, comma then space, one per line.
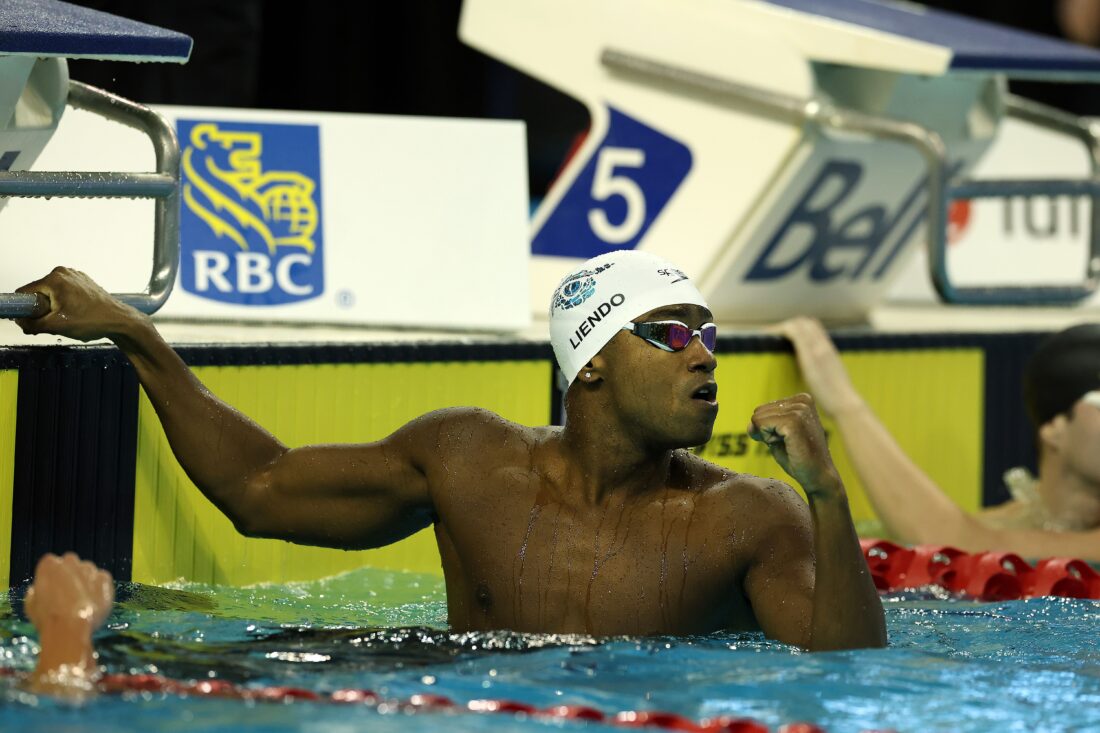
163, 187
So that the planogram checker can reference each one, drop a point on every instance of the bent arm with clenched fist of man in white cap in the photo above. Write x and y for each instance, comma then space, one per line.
845, 608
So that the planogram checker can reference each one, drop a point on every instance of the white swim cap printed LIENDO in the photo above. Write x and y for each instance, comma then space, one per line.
595, 302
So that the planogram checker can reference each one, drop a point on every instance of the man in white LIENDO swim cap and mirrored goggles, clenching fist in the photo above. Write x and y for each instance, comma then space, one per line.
606, 527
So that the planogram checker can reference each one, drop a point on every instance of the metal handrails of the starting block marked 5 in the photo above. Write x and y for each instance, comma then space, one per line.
931, 148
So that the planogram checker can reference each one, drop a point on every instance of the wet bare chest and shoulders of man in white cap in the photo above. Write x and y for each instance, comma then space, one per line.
523, 550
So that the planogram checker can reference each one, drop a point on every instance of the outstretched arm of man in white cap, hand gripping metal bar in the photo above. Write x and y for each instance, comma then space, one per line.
350, 497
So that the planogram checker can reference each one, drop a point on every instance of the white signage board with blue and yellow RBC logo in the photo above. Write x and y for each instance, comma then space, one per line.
302, 217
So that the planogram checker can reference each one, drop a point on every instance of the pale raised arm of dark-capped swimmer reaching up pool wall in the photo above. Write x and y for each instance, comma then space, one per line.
914, 509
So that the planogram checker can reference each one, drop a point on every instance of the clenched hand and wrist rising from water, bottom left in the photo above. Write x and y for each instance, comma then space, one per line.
69, 600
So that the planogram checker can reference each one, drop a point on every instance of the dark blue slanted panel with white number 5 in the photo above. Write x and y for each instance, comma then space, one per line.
619, 194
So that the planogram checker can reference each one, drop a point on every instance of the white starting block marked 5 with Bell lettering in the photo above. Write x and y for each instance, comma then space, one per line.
788, 154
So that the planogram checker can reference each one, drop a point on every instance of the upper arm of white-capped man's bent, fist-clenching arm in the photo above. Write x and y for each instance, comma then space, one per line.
780, 582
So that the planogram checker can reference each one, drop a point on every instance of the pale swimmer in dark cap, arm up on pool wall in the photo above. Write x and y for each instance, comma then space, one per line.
1059, 515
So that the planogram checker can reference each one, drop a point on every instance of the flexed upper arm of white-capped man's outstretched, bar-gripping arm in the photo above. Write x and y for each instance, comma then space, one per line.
350, 497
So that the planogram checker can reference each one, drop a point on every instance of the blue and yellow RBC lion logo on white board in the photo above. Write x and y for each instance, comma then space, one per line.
251, 220
